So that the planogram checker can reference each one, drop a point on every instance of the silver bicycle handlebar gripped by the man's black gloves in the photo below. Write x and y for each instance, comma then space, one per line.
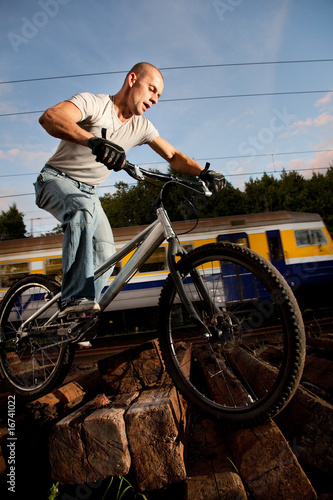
140, 174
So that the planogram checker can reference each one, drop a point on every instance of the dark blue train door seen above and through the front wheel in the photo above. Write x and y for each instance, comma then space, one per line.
239, 284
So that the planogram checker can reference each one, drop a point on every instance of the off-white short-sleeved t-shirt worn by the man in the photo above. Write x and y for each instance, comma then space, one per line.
98, 113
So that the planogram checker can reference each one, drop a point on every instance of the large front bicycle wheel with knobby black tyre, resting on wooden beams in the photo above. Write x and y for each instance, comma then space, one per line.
245, 364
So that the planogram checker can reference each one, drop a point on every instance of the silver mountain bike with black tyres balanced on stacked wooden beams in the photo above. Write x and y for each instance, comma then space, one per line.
230, 330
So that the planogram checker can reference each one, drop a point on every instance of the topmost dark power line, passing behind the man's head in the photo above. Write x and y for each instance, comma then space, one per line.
170, 68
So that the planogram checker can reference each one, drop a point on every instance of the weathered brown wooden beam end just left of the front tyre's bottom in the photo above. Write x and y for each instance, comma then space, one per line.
155, 425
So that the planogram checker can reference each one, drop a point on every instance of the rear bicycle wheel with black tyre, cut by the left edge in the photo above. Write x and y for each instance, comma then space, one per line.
33, 360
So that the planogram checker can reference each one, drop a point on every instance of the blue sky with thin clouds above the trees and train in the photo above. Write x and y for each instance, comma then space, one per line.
238, 135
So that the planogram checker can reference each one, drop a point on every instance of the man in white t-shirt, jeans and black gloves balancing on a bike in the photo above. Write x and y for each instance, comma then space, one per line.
107, 126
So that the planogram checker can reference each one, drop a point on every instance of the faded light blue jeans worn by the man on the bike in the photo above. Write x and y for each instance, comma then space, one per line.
88, 239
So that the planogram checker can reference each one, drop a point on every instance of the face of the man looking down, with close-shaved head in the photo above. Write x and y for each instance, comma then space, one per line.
145, 90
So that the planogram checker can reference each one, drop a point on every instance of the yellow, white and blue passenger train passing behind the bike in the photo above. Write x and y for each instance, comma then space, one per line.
298, 244
